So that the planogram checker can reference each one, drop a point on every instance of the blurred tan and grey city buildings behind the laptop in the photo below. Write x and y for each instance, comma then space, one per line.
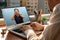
31, 5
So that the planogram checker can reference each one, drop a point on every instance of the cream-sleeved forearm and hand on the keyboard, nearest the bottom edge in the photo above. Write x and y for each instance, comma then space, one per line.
27, 29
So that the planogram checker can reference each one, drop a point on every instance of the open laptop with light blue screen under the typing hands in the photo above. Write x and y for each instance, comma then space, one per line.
9, 12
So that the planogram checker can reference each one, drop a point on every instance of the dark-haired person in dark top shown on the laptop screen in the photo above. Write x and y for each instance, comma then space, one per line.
17, 16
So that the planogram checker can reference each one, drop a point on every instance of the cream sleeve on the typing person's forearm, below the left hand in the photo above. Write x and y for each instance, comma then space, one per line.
31, 35
